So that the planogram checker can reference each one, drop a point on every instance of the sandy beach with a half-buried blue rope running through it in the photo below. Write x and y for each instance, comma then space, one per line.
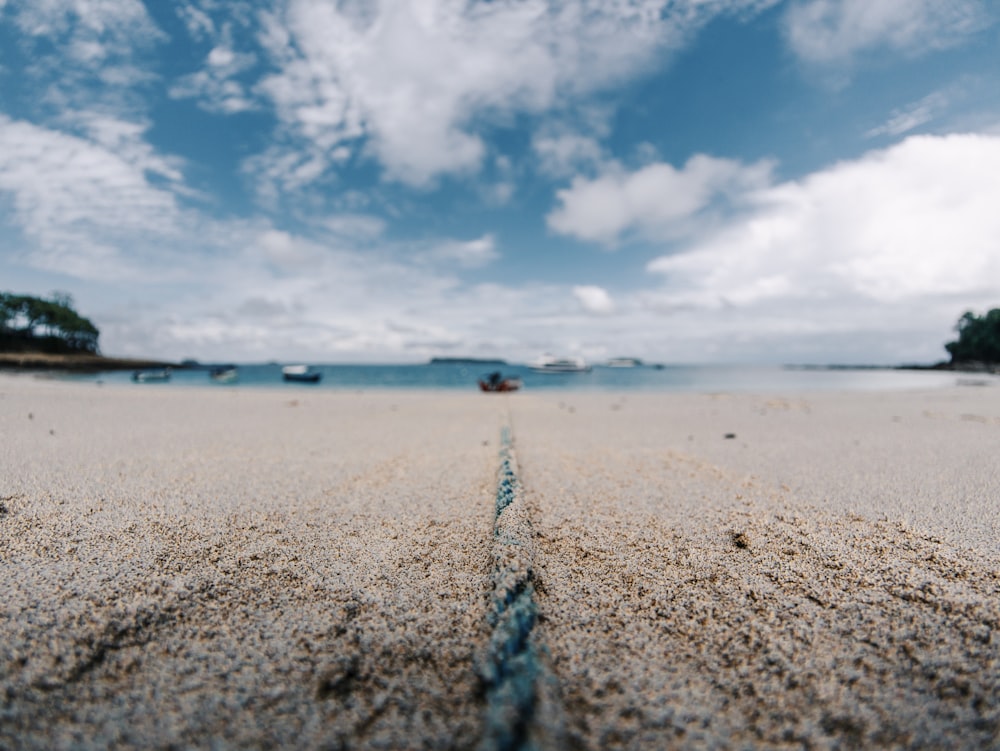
238, 568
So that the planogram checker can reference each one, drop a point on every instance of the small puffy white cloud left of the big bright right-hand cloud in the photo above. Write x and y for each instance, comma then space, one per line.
657, 199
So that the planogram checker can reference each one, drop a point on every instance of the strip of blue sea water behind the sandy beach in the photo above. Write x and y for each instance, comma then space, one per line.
464, 376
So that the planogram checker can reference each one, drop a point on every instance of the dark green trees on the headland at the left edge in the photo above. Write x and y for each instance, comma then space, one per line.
47, 325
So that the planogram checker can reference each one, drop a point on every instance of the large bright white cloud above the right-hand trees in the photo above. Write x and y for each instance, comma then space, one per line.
896, 237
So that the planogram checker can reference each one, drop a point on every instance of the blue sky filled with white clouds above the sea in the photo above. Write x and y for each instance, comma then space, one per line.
685, 181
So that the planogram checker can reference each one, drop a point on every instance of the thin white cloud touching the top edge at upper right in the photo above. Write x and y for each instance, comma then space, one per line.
834, 31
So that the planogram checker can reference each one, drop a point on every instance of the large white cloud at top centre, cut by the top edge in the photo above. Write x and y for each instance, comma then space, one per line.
412, 82
